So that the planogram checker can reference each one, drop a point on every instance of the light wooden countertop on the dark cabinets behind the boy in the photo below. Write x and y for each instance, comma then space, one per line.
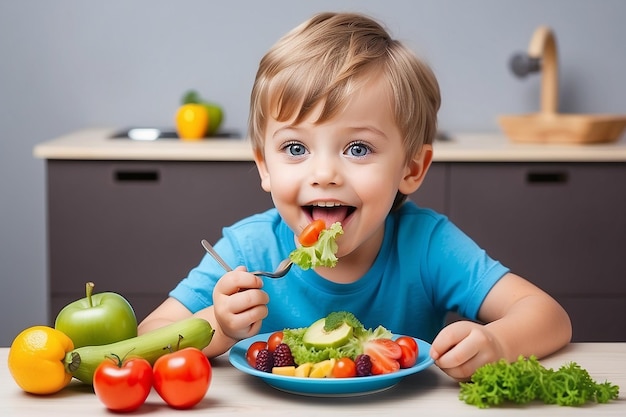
96, 144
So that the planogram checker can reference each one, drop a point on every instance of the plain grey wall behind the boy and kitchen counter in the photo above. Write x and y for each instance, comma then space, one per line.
72, 64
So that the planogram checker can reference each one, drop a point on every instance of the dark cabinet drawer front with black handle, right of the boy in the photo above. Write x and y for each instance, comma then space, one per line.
561, 225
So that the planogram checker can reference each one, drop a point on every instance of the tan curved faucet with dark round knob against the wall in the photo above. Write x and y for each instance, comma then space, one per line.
541, 56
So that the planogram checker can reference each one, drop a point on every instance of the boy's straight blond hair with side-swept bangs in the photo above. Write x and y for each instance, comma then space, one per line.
327, 58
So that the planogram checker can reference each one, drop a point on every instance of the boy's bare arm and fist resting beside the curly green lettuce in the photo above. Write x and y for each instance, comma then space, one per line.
521, 320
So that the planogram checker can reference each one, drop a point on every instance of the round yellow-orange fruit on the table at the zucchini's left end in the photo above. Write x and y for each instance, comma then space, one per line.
36, 360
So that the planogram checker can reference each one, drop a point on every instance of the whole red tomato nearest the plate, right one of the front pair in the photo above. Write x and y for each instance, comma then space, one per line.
182, 378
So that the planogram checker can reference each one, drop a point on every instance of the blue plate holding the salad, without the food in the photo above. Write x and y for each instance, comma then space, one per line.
322, 387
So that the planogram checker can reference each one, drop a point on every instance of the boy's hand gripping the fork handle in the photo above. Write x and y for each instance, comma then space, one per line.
239, 304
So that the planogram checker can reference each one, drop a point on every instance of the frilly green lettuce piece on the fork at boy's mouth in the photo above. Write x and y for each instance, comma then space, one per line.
322, 253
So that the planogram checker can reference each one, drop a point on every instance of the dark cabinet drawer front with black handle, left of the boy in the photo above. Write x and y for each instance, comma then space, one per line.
135, 227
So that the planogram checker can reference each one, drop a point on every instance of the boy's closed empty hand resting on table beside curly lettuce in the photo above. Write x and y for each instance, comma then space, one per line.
464, 346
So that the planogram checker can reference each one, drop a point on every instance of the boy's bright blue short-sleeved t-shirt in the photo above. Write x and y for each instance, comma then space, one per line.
425, 268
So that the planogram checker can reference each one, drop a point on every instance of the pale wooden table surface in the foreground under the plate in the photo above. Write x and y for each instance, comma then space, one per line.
430, 393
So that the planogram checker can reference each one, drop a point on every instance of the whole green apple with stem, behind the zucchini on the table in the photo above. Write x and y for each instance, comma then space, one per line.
97, 319
